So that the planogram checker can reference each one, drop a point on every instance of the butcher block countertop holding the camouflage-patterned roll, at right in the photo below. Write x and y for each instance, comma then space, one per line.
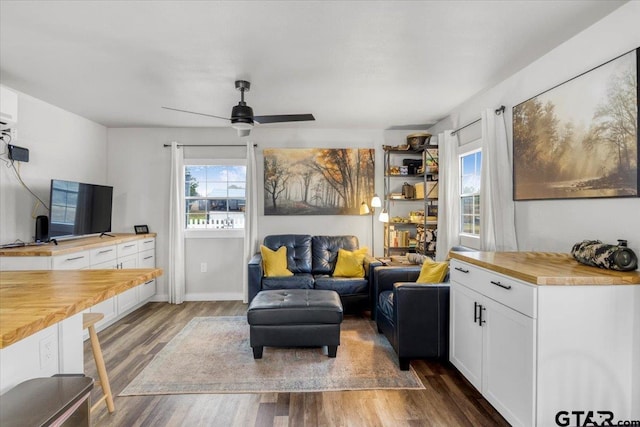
545, 268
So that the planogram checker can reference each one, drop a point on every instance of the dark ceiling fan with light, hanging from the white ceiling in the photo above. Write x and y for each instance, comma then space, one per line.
242, 118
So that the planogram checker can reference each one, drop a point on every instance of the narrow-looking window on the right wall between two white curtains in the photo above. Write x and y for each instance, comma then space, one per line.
470, 167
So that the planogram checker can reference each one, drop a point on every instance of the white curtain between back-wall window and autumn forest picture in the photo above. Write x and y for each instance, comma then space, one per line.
251, 217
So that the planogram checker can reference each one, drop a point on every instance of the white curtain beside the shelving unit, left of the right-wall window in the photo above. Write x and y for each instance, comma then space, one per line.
448, 195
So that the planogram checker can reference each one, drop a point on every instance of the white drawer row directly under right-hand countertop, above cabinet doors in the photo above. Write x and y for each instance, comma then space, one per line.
503, 289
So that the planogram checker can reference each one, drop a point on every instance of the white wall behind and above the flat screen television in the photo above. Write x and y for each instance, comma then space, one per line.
61, 145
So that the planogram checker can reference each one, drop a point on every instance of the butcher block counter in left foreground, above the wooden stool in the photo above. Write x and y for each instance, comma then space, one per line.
31, 301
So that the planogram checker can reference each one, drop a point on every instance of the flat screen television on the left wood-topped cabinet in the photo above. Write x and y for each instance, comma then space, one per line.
77, 209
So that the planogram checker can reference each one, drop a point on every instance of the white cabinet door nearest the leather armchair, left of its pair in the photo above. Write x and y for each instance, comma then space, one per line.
466, 334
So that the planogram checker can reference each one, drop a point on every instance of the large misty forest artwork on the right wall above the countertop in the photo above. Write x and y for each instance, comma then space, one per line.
580, 138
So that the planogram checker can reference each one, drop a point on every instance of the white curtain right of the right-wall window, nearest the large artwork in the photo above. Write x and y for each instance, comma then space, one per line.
497, 211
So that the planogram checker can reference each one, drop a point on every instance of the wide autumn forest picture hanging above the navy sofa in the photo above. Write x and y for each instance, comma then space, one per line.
317, 181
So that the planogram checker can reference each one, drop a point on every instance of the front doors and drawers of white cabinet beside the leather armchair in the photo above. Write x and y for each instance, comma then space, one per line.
492, 344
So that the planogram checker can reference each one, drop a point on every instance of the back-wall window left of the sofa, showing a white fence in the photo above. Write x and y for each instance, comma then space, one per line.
215, 194
